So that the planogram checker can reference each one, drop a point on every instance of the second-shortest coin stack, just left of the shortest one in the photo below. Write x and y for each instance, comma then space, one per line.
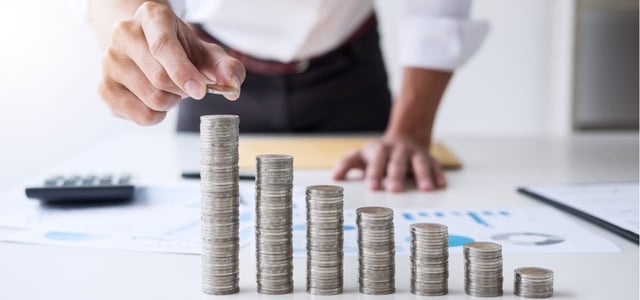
483, 269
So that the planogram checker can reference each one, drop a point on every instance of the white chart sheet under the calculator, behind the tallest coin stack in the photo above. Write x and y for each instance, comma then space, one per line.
161, 219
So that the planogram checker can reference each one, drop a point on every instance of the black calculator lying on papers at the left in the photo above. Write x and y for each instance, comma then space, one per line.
81, 189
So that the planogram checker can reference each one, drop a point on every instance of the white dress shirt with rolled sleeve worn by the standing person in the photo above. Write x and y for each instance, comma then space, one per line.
434, 34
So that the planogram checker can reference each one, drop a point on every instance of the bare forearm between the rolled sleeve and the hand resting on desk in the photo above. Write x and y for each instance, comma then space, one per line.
415, 107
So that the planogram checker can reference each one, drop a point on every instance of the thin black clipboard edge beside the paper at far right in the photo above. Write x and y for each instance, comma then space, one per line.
631, 236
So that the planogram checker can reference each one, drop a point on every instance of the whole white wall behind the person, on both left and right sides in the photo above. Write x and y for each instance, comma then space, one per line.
517, 84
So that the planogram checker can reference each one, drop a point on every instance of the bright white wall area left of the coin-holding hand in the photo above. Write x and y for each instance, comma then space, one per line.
49, 69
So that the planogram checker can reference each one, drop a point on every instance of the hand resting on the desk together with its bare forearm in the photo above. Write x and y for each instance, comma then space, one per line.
404, 149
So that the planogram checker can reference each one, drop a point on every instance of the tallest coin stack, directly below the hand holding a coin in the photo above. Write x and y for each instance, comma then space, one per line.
220, 203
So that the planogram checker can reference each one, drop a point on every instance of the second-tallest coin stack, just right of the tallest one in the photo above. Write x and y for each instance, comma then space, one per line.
274, 213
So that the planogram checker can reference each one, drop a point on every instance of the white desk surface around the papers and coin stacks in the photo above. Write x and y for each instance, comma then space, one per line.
494, 167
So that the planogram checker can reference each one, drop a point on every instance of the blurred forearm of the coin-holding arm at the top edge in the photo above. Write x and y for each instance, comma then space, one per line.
104, 14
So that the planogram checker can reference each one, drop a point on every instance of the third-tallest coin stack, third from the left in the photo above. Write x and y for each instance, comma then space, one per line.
324, 239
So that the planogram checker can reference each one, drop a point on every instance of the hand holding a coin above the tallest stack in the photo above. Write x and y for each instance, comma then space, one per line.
154, 60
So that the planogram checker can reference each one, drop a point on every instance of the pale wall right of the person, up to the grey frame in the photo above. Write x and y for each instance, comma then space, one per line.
510, 86
